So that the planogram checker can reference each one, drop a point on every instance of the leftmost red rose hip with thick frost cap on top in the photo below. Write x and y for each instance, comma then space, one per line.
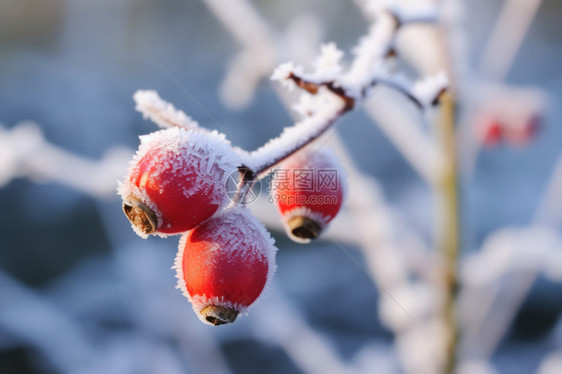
176, 180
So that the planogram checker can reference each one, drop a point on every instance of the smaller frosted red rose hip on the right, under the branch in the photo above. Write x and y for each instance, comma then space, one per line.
309, 190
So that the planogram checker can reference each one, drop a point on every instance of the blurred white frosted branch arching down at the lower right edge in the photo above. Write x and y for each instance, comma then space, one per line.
517, 255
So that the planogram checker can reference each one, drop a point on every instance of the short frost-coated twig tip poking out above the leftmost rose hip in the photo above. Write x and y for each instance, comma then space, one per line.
161, 112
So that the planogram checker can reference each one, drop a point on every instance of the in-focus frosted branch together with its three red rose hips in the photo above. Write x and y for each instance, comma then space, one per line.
176, 183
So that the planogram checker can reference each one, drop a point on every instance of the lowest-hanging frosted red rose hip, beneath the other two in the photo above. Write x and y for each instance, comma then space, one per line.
224, 264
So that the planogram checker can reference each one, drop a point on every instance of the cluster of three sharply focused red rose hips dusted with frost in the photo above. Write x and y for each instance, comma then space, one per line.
176, 184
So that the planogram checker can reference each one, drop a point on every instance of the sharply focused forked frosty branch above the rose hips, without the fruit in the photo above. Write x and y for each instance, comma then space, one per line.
366, 70
